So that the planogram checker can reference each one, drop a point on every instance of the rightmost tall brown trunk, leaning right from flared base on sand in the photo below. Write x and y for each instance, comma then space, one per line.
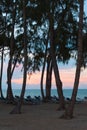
69, 112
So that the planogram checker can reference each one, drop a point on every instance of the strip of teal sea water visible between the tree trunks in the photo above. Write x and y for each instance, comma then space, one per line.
36, 92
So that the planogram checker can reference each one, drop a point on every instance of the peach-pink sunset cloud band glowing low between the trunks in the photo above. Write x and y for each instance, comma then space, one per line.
67, 77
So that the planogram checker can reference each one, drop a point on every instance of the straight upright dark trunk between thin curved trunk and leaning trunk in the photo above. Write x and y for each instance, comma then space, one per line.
48, 79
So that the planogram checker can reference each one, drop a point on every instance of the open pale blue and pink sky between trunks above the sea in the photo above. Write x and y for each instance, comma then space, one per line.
67, 75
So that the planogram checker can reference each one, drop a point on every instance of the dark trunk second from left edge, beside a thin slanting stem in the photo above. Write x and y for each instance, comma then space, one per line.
10, 97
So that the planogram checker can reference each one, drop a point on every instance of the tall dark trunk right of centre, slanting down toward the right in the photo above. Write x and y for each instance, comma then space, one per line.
55, 66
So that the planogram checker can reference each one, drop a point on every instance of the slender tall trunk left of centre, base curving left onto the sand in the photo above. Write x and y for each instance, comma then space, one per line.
17, 109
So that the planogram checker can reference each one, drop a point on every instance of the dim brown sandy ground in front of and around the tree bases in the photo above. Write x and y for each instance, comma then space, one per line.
42, 117
